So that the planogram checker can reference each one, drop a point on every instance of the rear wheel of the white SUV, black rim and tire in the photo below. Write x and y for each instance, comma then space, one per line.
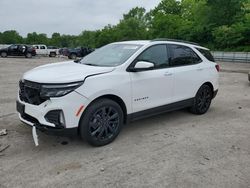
202, 100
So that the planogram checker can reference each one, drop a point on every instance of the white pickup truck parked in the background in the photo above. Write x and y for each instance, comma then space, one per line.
44, 50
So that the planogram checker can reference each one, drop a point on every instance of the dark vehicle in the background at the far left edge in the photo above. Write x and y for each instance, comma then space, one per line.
18, 50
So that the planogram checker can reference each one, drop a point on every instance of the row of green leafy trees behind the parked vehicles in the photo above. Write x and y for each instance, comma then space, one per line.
217, 24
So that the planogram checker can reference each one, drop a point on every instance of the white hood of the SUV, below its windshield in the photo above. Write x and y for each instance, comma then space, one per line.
64, 72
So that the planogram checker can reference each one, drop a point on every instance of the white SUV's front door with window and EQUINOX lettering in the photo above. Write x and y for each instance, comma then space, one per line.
152, 88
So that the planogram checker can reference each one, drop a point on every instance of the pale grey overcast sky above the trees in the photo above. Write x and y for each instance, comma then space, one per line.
64, 16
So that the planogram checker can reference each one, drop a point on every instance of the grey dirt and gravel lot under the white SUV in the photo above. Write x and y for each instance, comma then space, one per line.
176, 149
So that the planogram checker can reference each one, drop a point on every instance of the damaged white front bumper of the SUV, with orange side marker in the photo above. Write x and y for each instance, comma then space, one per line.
34, 115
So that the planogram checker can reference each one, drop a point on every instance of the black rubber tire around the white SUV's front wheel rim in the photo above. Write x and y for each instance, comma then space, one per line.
86, 117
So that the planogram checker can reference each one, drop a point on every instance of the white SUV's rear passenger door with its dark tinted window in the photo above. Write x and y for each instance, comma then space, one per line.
189, 73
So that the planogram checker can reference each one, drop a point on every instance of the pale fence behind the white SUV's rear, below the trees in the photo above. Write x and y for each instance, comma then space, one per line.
237, 57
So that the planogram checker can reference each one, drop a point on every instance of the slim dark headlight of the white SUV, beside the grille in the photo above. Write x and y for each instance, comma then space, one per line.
58, 90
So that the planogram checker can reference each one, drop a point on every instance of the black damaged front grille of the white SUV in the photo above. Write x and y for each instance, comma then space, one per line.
29, 92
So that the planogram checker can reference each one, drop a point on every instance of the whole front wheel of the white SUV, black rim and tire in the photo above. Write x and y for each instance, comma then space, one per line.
101, 122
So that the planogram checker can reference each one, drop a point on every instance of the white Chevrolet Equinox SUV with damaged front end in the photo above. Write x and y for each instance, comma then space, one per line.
116, 84
